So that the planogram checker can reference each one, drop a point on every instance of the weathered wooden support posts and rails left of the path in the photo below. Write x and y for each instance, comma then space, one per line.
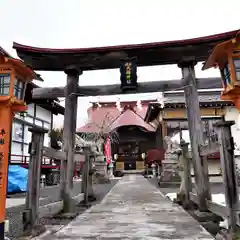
37, 151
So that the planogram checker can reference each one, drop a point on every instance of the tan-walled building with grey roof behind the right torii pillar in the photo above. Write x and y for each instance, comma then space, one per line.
171, 120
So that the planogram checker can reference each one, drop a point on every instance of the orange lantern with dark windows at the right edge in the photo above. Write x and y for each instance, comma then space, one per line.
226, 56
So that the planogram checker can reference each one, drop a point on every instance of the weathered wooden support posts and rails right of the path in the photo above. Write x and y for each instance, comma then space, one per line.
223, 142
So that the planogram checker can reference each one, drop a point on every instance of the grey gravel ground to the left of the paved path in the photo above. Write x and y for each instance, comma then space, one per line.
15, 214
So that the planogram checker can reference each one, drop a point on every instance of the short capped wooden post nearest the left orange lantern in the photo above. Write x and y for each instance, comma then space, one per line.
34, 172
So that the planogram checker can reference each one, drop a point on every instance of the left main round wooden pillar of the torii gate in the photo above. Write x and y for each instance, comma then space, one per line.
69, 131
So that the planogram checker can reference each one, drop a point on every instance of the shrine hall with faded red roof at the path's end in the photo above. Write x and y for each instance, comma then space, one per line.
126, 120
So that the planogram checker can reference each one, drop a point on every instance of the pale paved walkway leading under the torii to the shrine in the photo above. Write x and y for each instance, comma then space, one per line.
133, 209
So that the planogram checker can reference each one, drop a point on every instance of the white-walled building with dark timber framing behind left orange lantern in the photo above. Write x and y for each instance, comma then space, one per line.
40, 113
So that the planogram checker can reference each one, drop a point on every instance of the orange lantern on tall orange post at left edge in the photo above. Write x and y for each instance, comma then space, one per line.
14, 76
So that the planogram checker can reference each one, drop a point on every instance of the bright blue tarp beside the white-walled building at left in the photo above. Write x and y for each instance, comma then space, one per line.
17, 179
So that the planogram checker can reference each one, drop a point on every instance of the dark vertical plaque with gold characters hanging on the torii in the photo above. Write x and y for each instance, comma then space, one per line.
128, 71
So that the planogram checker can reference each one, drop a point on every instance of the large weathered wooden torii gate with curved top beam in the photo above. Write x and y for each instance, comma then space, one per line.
185, 53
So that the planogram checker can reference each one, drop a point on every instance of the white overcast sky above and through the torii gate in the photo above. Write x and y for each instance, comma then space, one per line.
91, 23
